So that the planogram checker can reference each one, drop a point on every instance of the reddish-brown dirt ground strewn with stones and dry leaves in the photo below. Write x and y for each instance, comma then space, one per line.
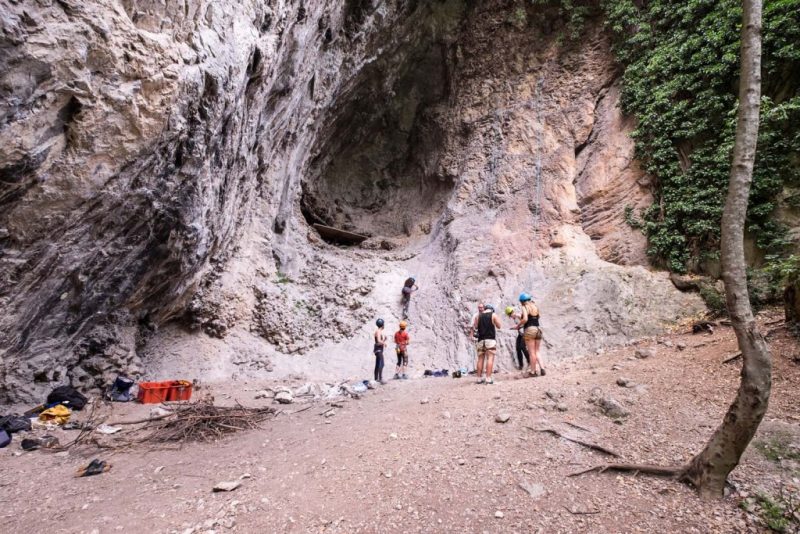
426, 455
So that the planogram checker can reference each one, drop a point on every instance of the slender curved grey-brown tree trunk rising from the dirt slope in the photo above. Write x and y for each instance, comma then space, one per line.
709, 470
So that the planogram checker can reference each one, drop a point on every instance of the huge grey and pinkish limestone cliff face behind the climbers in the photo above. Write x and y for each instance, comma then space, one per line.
161, 165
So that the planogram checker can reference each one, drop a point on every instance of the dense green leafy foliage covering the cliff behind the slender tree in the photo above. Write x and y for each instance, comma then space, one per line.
680, 61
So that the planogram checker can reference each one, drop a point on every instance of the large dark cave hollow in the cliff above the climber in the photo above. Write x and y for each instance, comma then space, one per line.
378, 164
